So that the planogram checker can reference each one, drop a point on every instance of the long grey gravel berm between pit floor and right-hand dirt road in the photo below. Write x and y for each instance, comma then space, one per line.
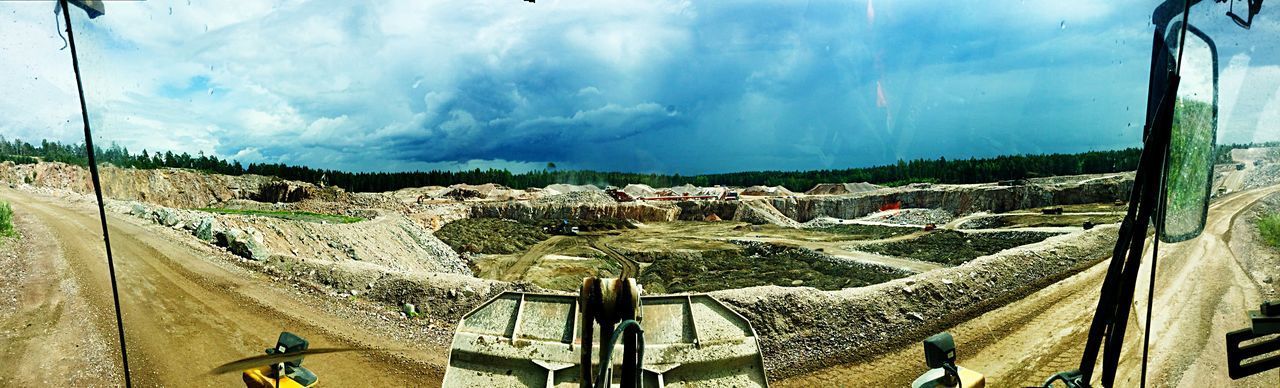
806, 330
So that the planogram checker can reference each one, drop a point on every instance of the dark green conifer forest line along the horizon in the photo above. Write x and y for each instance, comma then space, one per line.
929, 171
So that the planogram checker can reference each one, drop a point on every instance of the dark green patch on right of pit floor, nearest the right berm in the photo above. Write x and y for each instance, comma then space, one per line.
957, 248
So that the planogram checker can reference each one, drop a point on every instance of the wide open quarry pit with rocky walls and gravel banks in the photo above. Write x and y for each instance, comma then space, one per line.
902, 261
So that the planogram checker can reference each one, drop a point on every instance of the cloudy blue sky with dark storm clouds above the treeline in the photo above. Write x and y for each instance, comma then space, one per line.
638, 86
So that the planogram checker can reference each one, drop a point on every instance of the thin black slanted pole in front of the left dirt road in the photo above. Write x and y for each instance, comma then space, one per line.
98, 191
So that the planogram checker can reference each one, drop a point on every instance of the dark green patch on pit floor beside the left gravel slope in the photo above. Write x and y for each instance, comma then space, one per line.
491, 236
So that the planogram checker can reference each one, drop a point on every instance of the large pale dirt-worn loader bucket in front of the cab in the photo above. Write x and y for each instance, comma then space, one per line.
531, 340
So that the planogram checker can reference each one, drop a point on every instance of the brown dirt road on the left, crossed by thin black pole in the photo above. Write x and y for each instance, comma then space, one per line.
184, 313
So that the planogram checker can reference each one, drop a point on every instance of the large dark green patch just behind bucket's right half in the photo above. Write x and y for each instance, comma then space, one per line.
758, 264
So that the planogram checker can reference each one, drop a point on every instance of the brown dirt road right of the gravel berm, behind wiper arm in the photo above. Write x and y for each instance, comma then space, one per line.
1203, 293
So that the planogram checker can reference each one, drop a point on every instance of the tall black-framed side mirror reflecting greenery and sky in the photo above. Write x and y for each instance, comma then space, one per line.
1190, 176
